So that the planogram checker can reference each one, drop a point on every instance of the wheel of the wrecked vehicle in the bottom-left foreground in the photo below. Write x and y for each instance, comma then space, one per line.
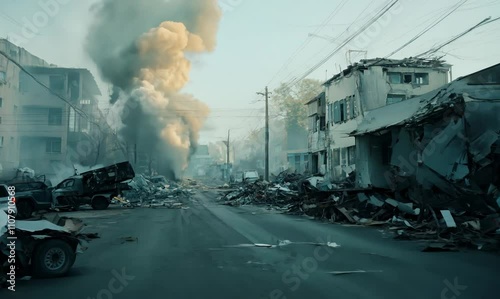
53, 258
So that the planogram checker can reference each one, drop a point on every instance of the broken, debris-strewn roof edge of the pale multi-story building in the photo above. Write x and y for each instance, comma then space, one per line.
406, 62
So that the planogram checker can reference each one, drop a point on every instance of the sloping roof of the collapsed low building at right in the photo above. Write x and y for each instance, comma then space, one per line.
476, 86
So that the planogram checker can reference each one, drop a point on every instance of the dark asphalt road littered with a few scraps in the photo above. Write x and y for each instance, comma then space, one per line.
197, 253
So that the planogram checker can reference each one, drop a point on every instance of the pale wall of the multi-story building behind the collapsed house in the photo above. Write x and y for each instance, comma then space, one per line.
363, 91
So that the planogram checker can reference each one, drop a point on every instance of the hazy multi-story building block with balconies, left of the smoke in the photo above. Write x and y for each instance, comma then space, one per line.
57, 112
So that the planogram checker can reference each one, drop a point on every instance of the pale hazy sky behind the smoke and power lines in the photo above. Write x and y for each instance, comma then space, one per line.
257, 38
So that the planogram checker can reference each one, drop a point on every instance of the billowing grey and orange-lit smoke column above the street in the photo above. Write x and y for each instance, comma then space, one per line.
140, 47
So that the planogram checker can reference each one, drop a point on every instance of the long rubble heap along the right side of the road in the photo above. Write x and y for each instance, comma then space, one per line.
442, 228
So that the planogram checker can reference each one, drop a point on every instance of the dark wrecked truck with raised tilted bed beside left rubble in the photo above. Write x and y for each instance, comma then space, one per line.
96, 188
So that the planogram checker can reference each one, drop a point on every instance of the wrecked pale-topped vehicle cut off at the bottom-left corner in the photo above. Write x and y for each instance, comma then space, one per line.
41, 249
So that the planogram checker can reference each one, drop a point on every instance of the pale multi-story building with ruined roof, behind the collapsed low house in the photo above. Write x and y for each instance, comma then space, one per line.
368, 85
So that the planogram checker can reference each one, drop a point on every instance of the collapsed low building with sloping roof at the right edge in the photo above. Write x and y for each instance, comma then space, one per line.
441, 148
